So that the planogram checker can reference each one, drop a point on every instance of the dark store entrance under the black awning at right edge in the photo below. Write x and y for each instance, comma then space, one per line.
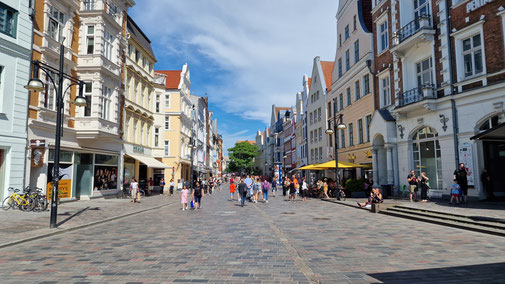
494, 159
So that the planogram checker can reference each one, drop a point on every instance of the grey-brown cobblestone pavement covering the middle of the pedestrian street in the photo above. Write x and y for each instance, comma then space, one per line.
278, 242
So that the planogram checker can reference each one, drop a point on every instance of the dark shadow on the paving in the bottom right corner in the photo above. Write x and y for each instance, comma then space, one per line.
481, 273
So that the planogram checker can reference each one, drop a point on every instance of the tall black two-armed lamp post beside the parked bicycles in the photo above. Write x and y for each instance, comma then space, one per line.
36, 85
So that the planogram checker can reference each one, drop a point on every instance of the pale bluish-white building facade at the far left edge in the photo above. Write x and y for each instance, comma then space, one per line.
15, 57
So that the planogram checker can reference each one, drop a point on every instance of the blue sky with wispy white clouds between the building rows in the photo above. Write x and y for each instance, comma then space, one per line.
244, 55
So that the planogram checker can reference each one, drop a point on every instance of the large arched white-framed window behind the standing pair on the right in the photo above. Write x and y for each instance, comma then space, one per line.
426, 155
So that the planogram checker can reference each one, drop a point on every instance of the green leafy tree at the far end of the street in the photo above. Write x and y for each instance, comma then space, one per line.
242, 158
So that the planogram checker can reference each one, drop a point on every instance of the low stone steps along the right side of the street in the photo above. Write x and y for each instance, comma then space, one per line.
444, 221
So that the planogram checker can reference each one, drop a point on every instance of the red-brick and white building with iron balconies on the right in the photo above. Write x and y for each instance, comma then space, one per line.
446, 78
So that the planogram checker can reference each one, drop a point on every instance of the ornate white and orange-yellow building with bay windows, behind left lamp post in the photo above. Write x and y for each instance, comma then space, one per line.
93, 33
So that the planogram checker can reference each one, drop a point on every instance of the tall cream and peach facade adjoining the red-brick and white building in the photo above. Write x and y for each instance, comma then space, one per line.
351, 89
